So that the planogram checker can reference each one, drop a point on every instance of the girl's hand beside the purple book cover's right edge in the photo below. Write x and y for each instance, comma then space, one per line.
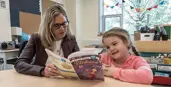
108, 70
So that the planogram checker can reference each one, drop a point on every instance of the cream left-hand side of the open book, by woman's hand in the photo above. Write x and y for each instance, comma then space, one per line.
62, 64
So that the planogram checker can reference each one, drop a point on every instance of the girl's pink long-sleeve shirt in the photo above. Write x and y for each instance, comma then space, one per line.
135, 69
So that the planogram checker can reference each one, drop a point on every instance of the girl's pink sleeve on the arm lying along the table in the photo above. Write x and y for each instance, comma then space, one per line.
142, 74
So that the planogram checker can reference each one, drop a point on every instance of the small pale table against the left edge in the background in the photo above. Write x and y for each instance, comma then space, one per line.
8, 54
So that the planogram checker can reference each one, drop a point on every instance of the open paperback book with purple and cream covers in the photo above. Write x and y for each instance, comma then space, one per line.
84, 65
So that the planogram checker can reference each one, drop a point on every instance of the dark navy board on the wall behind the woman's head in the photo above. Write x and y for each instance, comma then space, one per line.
27, 6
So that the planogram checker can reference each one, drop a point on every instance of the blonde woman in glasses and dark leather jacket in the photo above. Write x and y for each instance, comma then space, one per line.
54, 34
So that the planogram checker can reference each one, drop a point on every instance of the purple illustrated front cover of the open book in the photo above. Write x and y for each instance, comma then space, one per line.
88, 67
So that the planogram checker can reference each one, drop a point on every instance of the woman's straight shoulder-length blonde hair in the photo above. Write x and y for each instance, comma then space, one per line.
47, 21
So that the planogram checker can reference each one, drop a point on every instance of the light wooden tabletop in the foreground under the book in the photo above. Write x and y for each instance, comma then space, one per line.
10, 78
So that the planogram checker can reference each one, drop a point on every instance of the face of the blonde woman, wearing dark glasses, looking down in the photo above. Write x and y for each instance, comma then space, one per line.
59, 28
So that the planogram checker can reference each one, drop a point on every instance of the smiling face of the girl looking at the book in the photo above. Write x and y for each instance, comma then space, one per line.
116, 47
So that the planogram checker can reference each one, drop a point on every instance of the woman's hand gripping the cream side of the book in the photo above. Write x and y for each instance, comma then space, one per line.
50, 70
